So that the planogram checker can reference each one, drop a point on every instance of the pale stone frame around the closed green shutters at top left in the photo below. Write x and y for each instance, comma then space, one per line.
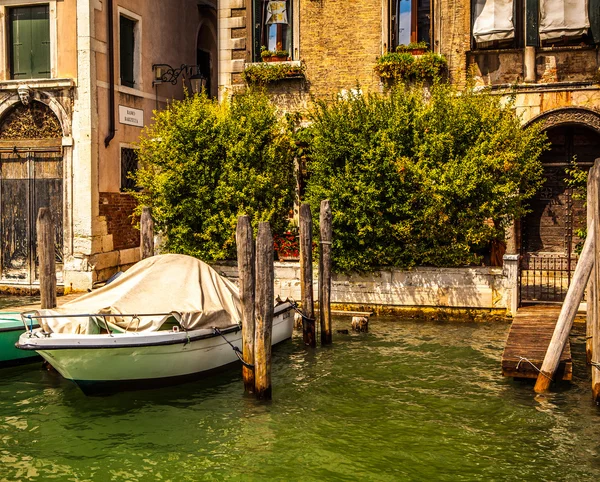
4, 57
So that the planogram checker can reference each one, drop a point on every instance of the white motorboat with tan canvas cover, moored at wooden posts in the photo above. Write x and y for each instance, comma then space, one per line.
168, 319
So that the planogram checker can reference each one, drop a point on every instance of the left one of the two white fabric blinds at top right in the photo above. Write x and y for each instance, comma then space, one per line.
493, 20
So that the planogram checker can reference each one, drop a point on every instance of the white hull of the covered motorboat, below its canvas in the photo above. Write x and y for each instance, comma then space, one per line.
136, 360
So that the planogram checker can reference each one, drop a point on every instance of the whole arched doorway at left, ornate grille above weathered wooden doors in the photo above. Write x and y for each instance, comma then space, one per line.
31, 177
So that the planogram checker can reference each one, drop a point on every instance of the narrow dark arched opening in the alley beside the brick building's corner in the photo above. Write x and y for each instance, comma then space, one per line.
206, 47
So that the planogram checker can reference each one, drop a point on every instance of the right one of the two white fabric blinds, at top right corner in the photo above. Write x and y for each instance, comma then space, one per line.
563, 18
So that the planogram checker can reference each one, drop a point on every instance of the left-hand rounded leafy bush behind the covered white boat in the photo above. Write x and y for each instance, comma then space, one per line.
205, 163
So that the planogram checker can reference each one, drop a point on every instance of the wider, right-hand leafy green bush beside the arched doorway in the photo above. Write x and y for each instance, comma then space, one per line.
419, 181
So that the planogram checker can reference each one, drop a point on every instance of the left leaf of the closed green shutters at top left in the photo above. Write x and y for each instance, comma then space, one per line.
21, 47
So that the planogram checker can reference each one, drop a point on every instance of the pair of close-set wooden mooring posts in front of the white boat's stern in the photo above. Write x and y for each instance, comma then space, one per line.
256, 275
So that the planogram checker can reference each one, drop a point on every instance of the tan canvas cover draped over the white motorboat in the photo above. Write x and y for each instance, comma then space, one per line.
157, 285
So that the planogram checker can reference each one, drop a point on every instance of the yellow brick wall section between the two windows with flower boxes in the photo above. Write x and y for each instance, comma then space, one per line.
340, 42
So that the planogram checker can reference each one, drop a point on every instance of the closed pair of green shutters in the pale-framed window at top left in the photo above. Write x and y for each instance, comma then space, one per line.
30, 42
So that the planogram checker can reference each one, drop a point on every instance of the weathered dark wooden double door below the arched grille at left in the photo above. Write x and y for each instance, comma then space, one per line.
29, 180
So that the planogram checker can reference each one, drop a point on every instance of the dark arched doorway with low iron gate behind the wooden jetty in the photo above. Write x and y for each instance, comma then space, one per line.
549, 240
